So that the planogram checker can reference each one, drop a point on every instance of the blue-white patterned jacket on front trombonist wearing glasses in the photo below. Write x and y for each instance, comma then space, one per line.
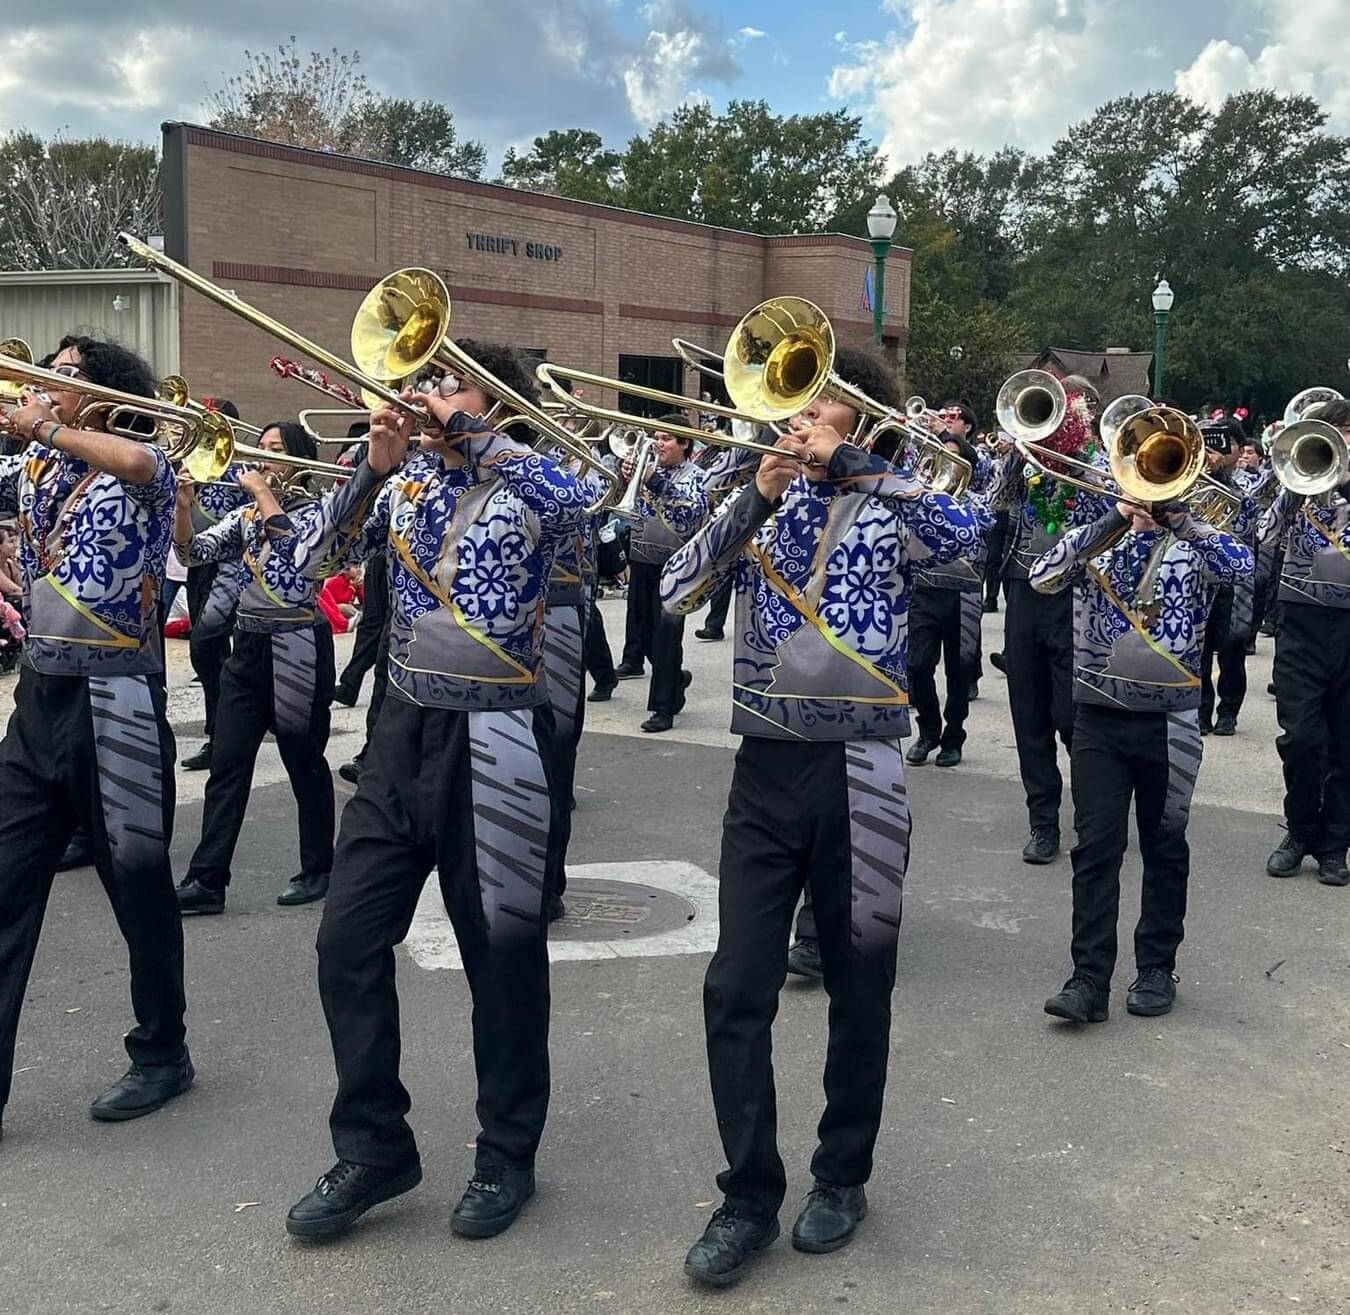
470, 550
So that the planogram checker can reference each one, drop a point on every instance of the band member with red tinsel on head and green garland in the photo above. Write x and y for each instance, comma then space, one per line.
1039, 628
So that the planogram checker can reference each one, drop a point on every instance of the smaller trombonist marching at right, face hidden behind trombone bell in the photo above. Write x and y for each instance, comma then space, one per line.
1136, 732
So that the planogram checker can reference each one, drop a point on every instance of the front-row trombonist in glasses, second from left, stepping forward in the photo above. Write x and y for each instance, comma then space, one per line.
454, 778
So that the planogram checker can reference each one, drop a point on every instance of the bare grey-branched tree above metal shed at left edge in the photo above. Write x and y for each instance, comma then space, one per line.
67, 202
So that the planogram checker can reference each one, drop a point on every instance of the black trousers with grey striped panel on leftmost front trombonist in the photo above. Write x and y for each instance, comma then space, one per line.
92, 753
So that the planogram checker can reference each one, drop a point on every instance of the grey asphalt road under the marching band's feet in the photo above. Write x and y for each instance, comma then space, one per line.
1197, 1163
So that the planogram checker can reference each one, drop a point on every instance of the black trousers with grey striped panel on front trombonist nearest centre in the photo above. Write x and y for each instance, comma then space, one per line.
836, 817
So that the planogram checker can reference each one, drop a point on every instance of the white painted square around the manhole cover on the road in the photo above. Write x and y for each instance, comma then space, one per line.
431, 940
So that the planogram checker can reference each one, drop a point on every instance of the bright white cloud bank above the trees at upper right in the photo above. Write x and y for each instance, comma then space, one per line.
977, 75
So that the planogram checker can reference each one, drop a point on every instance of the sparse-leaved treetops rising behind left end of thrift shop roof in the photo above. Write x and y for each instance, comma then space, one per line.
322, 102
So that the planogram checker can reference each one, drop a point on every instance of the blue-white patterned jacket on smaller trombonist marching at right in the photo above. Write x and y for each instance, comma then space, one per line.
1141, 654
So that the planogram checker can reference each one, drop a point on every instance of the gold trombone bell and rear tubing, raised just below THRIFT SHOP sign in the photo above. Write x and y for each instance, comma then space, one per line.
403, 326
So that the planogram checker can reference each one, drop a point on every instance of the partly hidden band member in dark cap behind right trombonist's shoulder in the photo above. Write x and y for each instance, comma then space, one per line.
1233, 615
